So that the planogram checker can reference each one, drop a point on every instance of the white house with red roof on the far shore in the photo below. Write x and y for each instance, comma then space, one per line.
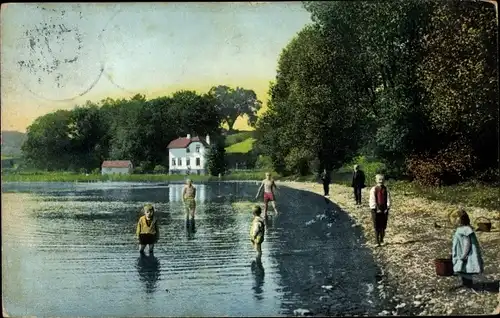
186, 155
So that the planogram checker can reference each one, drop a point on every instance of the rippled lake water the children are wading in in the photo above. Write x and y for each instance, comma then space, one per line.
68, 249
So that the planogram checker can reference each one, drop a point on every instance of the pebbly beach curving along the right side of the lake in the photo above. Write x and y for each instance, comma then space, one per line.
417, 233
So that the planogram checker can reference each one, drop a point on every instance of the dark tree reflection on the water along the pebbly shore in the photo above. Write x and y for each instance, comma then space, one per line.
330, 255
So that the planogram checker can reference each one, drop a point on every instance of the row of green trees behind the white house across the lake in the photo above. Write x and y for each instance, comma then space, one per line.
134, 129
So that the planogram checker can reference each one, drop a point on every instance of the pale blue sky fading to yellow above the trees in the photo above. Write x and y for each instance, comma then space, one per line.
148, 48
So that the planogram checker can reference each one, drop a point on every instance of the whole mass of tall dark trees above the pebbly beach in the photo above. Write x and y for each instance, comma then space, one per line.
412, 84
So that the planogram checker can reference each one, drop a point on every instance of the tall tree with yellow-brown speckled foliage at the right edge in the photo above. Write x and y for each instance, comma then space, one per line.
459, 75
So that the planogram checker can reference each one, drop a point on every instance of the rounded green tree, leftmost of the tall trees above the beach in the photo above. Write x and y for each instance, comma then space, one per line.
310, 113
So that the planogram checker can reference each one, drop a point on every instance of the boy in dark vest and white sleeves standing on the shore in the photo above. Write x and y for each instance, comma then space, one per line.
380, 203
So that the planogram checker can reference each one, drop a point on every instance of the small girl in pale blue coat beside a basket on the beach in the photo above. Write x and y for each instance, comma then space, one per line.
466, 252
